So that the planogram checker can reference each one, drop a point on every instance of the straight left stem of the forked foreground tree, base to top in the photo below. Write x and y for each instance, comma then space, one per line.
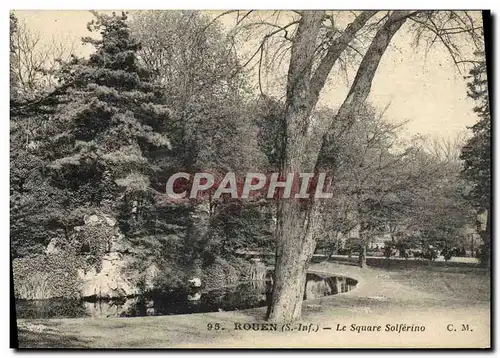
295, 242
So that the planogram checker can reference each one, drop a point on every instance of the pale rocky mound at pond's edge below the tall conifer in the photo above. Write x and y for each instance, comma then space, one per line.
110, 282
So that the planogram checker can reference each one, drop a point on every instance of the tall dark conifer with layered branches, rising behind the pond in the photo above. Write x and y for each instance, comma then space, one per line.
111, 118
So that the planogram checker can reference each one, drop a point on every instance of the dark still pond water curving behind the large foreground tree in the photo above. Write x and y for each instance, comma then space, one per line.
243, 296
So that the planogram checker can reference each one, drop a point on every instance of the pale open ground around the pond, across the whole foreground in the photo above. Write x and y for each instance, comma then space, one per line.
442, 299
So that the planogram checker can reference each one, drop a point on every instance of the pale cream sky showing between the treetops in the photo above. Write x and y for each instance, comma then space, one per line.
427, 91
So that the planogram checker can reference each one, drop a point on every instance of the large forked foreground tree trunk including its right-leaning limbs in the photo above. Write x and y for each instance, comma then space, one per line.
297, 221
